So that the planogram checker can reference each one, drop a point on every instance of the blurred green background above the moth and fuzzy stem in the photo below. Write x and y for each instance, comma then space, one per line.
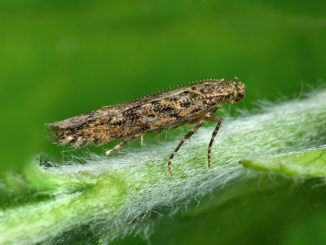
62, 58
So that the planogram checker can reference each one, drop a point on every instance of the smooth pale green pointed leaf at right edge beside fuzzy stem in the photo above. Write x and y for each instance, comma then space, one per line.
307, 163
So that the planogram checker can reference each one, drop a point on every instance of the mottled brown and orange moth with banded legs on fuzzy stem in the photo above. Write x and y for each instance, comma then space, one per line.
189, 103
